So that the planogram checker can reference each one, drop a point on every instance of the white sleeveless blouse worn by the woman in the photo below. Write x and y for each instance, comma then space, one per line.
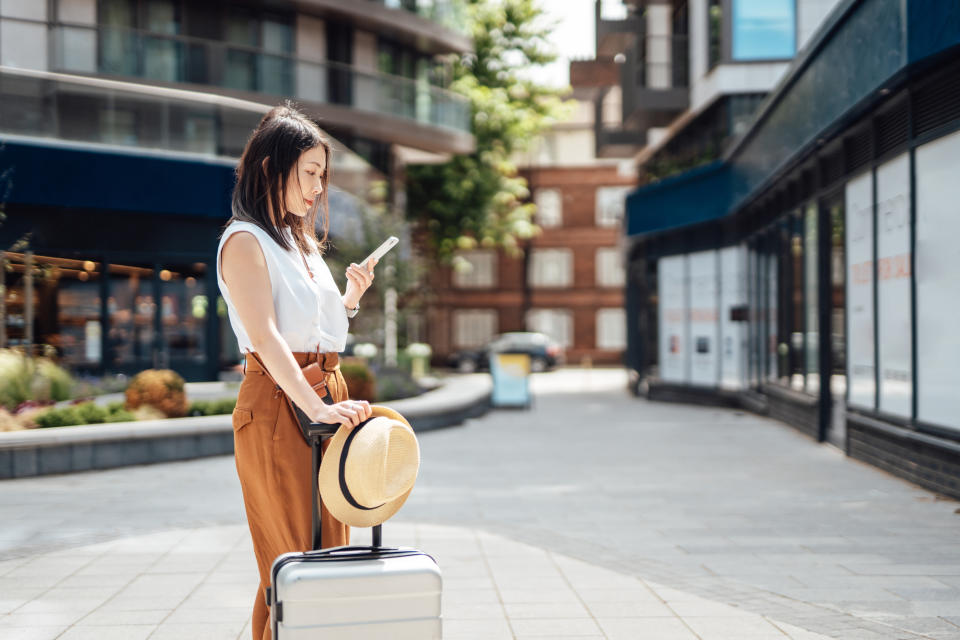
309, 312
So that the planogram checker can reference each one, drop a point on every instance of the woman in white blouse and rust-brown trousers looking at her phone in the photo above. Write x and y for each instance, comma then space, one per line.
285, 307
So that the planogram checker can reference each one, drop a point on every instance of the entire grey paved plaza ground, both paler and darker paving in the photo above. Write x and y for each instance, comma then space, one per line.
594, 514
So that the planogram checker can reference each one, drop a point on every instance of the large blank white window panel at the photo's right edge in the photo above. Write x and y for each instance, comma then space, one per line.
937, 230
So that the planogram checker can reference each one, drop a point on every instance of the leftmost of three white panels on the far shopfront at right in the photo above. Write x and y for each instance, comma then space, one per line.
672, 290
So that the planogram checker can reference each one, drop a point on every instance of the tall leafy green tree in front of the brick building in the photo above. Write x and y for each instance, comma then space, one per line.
478, 199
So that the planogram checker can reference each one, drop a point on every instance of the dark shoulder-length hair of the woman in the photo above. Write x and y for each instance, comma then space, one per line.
282, 135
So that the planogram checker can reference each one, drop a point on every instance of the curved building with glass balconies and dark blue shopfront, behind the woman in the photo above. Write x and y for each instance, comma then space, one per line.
121, 122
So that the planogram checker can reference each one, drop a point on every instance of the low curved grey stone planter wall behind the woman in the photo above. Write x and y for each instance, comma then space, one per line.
37, 452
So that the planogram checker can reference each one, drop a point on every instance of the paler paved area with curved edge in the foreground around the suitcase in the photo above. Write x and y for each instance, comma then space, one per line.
199, 584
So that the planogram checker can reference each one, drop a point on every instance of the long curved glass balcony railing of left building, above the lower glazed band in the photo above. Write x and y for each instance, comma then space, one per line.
178, 59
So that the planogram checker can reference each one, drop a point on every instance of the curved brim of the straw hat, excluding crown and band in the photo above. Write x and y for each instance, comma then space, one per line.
329, 476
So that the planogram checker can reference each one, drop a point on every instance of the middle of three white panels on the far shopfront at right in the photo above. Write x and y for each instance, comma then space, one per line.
704, 367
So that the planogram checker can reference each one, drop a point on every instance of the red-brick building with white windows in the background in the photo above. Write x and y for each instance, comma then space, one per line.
569, 282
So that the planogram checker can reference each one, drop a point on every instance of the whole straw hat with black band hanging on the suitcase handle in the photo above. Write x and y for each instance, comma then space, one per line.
368, 471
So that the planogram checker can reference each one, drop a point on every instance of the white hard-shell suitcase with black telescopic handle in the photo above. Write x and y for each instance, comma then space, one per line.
354, 592
